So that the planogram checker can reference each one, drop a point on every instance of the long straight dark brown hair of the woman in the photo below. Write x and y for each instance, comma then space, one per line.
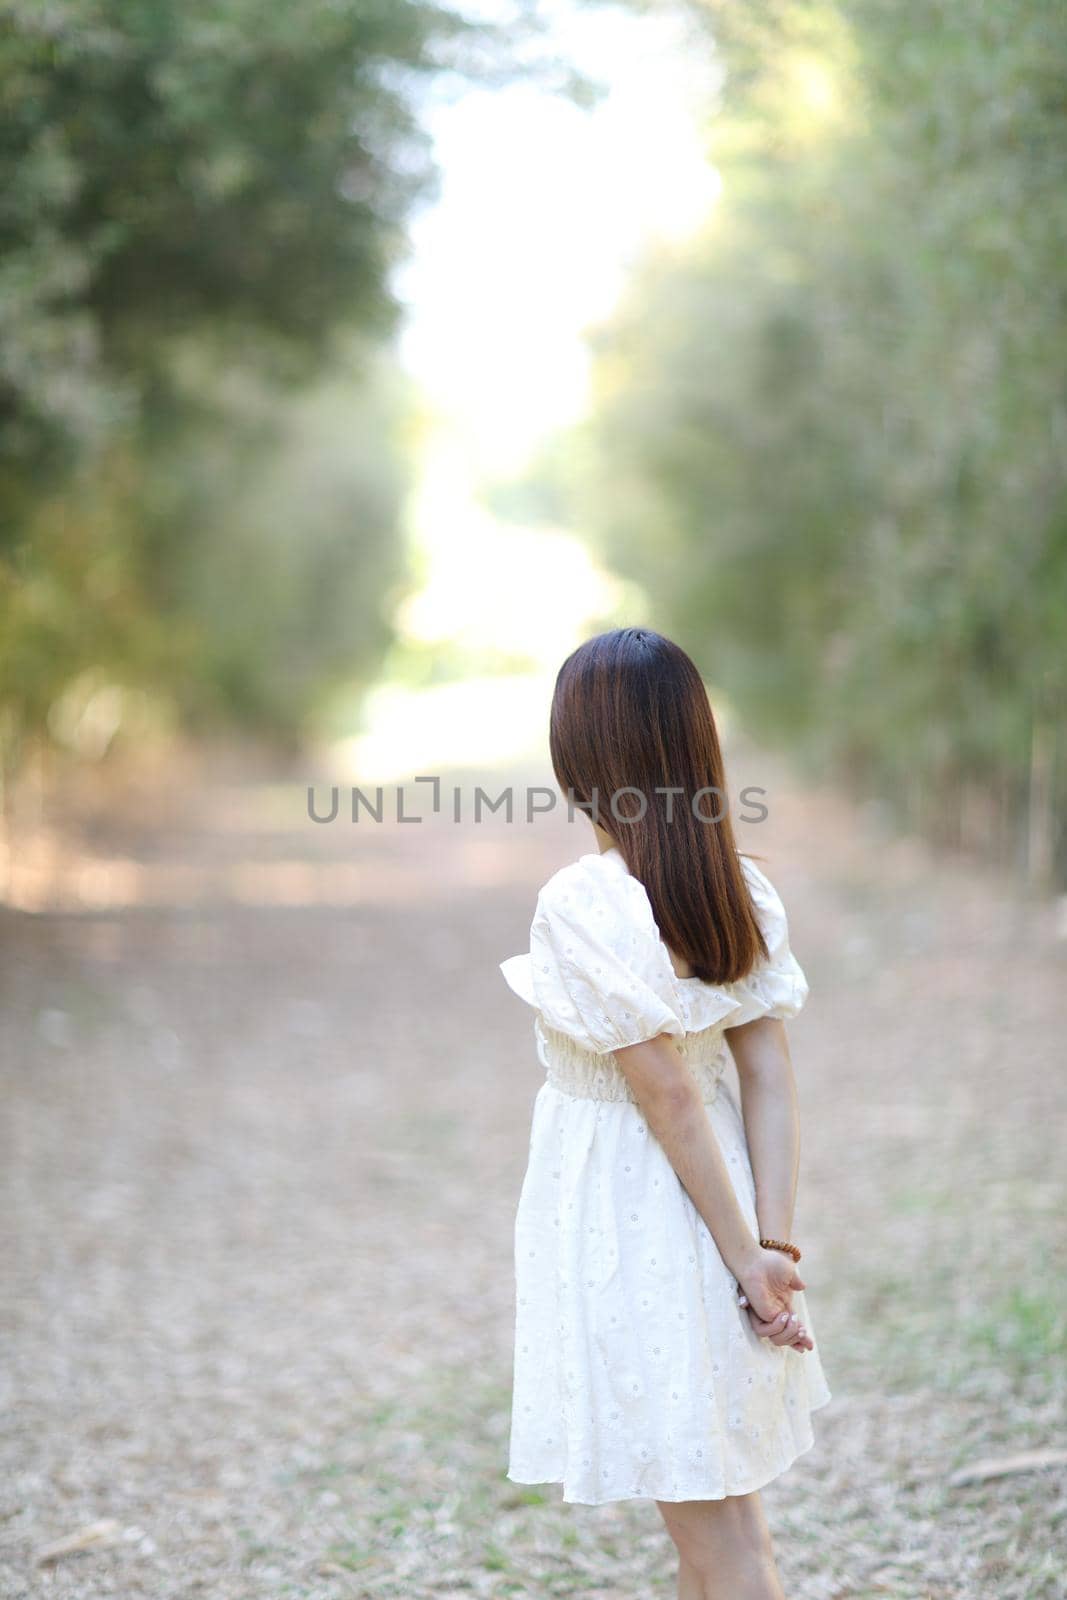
631, 713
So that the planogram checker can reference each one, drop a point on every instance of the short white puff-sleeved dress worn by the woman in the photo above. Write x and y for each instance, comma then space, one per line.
637, 1374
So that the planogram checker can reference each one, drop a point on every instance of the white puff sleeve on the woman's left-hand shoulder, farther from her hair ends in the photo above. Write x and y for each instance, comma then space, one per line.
597, 972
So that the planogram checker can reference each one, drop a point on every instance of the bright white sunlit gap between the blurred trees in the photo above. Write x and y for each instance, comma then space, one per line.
545, 207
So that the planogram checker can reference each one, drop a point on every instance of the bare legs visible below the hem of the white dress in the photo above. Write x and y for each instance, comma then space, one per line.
724, 1548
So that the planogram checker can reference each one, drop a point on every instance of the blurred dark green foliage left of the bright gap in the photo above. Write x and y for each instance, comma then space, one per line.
202, 431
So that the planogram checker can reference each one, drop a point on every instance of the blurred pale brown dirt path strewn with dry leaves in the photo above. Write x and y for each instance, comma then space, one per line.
266, 1114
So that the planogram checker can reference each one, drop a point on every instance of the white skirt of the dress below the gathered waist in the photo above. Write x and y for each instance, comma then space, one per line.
637, 1374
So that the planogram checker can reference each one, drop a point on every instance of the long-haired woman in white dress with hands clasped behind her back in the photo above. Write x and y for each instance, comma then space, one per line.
663, 1343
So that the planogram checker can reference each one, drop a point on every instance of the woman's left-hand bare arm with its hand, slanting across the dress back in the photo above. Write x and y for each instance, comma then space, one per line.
674, 1111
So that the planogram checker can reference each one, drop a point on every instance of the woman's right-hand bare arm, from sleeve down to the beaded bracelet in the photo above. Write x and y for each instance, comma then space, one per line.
769, 1105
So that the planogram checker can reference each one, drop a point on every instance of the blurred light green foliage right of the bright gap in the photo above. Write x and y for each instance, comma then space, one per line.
831, 434
